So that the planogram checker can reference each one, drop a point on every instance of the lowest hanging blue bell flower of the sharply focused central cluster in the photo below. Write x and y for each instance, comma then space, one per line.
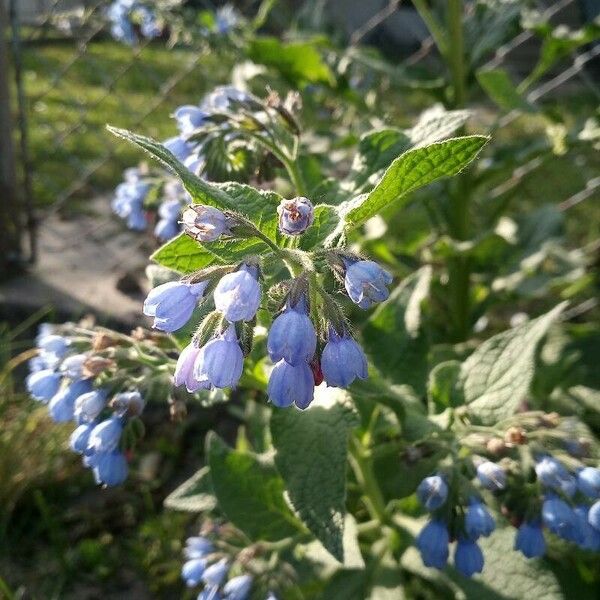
290, 384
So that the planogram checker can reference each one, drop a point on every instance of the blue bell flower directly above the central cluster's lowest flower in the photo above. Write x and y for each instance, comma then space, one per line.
292, 336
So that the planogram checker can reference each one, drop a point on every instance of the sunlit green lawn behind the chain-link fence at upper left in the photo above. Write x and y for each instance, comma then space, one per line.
68, 108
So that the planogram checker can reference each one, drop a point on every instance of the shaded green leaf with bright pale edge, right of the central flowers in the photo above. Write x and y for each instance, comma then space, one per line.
393, 336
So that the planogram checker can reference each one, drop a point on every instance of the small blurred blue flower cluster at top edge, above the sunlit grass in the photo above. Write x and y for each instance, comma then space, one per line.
132, 19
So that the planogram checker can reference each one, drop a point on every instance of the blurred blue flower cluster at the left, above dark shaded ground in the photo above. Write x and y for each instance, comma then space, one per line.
64, 379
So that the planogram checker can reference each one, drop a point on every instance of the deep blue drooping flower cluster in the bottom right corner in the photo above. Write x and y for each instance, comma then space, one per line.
560, 503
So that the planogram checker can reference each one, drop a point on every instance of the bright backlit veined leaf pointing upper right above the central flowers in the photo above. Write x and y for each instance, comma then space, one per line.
414, 169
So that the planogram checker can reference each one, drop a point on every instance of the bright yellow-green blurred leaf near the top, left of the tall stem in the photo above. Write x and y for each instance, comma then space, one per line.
298, 61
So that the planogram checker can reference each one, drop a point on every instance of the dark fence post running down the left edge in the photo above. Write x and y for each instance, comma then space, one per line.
11, 214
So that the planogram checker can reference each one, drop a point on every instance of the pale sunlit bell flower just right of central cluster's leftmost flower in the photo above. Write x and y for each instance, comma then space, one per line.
237, 294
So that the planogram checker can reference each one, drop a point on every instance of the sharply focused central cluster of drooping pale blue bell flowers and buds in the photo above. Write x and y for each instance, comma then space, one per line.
301, 358
